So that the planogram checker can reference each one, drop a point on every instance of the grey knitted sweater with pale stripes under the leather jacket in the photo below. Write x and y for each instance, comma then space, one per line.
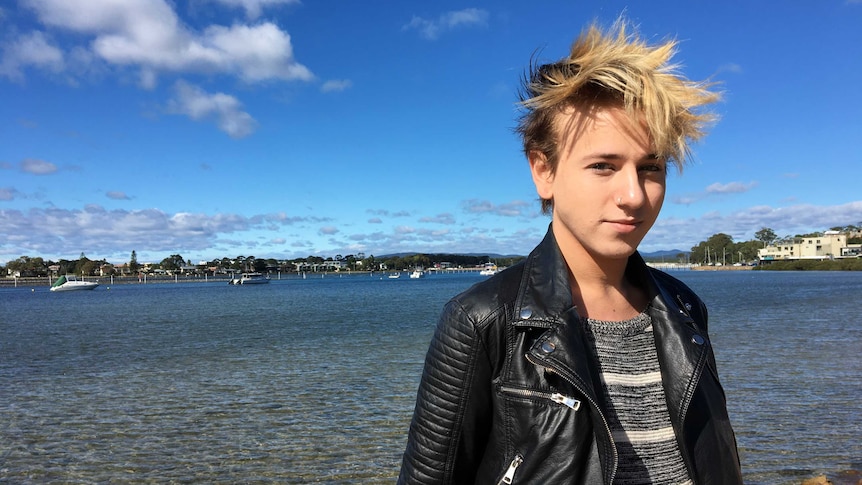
635, 403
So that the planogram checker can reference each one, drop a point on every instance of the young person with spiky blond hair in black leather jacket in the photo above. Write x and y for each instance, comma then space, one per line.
581, 364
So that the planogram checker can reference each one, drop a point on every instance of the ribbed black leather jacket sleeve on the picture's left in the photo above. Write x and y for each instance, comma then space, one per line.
451, 420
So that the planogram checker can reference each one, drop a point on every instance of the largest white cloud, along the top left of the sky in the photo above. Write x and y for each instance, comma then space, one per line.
148, 35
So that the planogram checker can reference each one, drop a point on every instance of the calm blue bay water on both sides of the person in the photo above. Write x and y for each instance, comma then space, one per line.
313, 381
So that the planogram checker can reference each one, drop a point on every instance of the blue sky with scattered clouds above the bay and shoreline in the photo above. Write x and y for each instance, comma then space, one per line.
280, 128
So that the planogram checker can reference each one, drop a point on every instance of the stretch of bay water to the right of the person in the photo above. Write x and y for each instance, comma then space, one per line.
789, 350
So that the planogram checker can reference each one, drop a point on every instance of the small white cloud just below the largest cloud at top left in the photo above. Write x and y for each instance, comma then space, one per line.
225, 110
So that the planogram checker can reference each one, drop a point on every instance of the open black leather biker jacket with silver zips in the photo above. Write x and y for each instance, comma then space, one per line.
509, 393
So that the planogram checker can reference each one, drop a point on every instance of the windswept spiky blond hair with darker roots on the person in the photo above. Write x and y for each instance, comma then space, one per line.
616, 68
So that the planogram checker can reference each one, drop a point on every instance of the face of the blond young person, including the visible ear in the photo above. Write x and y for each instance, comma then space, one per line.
608, 187
